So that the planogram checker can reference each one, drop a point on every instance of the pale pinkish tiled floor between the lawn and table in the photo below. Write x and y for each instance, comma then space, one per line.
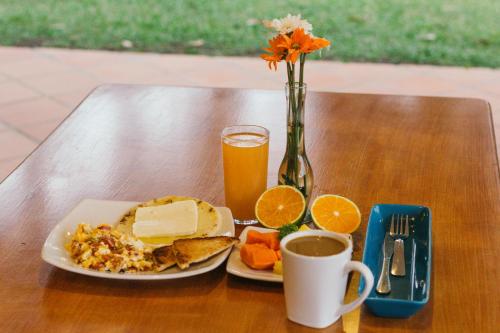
39, 87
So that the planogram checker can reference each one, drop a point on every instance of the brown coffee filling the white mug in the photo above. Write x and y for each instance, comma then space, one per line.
315, 246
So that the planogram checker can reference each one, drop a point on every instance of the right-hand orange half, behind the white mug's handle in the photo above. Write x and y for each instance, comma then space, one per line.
335, 213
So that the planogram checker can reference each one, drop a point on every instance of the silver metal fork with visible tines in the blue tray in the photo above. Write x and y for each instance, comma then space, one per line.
399, 230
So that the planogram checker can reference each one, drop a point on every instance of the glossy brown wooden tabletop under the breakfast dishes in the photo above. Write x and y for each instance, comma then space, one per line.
140, 142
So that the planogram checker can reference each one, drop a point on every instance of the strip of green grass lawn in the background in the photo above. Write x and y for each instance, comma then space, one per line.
442, 32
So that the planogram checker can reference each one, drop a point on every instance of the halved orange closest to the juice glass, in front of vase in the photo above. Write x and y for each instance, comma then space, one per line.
280, 205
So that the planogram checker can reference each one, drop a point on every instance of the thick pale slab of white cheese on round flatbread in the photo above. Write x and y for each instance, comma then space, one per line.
175, 219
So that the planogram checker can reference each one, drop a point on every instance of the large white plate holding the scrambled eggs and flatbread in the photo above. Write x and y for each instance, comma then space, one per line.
95, 212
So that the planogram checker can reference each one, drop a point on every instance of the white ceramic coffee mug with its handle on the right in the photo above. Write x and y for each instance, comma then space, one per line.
315, 286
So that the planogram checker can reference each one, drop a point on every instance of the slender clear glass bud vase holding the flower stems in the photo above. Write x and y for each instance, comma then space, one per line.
295, 169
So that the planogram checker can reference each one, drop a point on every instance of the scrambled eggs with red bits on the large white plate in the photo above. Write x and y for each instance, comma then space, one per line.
108, 250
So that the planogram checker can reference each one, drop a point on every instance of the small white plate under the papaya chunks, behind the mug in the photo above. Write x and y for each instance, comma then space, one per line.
237, 267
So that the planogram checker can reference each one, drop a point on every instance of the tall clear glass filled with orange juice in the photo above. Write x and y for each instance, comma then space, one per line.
245, 150
